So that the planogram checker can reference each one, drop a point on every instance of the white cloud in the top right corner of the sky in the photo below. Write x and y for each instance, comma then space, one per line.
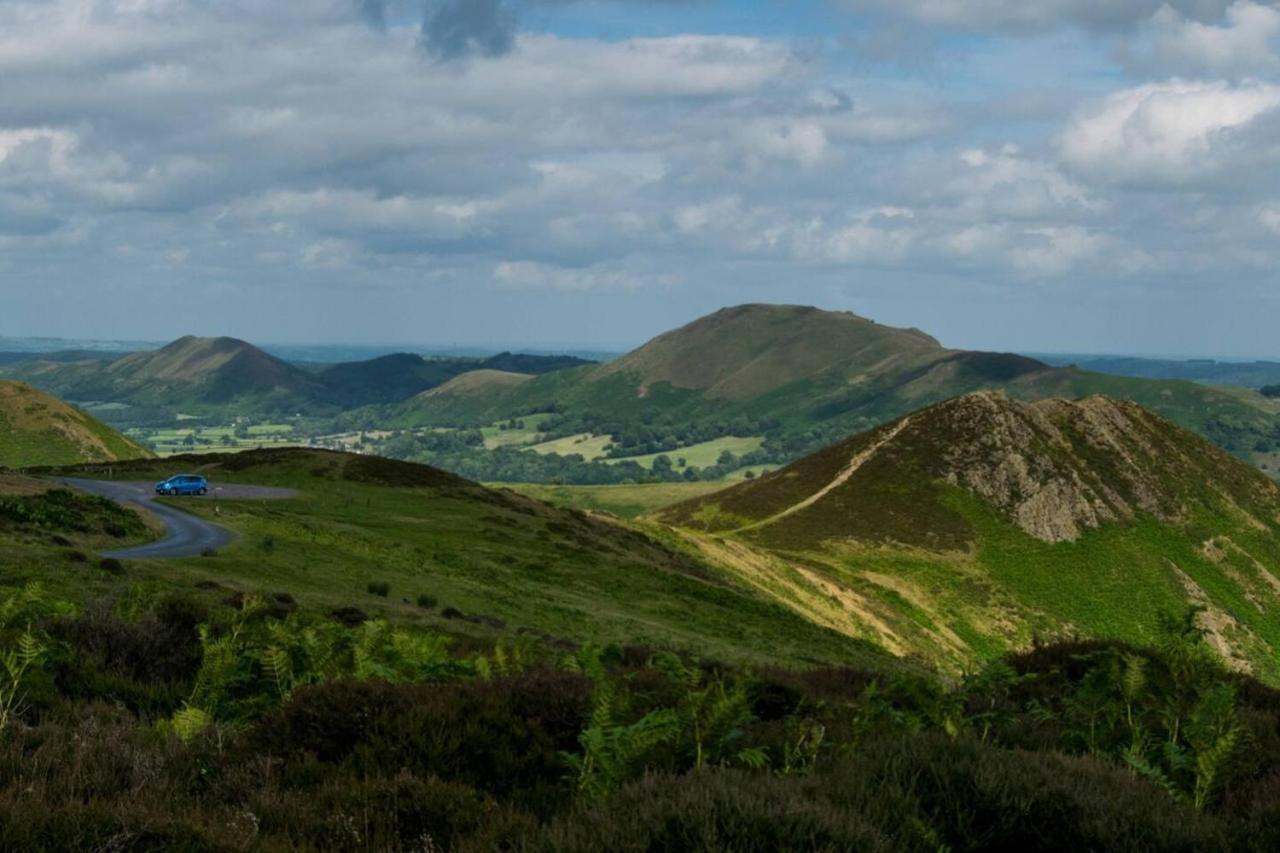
1246, 43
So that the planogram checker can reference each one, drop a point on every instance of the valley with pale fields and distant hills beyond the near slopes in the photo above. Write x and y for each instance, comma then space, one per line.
765, 384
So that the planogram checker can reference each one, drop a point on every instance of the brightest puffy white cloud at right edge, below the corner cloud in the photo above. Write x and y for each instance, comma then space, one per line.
1180, 134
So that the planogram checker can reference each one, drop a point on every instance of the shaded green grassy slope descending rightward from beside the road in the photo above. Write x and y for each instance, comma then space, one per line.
481, 553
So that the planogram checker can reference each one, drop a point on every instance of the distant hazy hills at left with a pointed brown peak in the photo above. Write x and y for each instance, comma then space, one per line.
232, 377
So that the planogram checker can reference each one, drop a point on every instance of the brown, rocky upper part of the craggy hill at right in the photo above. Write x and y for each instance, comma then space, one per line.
1054, 468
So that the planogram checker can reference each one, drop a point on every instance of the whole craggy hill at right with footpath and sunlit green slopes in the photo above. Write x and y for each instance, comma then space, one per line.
977, 524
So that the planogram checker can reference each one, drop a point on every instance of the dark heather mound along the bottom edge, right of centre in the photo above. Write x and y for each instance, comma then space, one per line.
898, 793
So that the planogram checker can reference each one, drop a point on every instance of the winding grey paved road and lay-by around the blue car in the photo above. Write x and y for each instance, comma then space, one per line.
186, 536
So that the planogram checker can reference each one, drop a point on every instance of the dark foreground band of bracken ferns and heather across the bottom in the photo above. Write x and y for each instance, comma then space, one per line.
172, 726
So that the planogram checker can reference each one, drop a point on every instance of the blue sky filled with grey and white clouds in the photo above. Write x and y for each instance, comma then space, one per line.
1084, 176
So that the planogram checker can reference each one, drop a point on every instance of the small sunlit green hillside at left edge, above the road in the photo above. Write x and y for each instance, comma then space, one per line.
39, 430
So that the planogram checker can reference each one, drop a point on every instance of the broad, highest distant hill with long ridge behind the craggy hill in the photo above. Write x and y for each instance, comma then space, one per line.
802, 372
